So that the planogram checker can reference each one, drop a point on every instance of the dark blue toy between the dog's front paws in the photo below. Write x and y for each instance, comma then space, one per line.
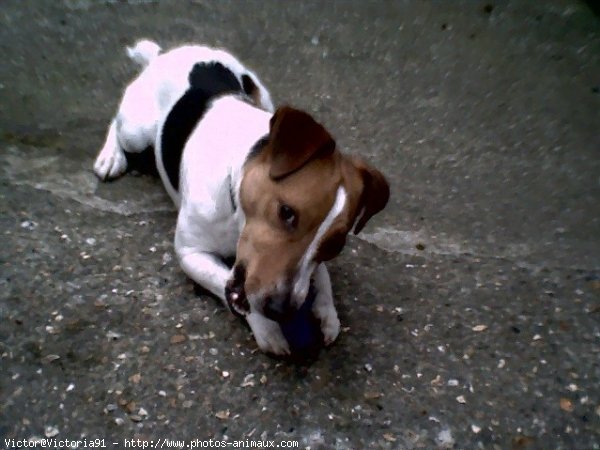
303, 330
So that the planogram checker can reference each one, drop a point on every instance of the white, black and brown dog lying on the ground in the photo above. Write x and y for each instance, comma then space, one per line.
269, 188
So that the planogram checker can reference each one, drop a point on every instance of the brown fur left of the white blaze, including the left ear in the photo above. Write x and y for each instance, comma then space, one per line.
287, 190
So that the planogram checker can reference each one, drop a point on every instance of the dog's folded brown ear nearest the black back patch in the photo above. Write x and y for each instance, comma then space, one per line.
295, 139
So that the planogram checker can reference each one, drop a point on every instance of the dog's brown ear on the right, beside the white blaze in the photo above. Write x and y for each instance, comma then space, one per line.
375, 193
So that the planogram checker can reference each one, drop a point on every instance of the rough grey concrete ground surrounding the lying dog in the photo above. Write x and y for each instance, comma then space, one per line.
470, 306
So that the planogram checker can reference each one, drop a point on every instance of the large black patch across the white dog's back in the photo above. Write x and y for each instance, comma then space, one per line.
207, 81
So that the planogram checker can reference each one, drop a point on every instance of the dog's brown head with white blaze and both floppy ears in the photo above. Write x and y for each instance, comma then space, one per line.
301, 197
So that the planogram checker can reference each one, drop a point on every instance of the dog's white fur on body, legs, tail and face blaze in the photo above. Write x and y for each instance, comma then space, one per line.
208, 225
